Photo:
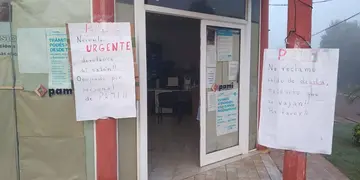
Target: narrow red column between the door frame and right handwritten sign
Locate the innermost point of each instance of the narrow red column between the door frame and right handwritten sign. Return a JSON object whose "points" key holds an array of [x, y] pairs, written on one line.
{"points": [[264, 41]]}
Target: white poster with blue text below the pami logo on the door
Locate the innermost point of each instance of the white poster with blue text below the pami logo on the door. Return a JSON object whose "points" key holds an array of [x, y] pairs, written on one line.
{"points": [[227, 112]]}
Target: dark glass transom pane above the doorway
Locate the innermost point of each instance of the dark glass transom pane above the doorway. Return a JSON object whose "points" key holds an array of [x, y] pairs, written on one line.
{"points": [[229, 8]]}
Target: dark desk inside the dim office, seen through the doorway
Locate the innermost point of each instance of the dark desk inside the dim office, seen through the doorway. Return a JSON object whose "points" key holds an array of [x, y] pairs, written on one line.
{"points": [[154, 100]]}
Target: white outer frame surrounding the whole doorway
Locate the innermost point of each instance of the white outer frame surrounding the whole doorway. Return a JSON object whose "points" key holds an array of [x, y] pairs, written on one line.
{"points": [[140, 9]]}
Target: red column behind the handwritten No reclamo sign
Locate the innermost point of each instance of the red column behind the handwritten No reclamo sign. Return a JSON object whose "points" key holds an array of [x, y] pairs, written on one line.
{"points": [[299, 31]]}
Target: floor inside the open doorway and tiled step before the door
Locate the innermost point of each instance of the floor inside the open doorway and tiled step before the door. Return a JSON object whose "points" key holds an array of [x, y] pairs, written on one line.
{"points": [[174, 155]]}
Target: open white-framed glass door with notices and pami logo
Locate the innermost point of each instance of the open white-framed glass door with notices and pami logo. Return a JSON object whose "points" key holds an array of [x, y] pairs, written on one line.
{"points": [[223, 121]]}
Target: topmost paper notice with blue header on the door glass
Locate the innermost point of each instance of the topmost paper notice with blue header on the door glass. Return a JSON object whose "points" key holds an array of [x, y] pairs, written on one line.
{"points": [[224, 45]]}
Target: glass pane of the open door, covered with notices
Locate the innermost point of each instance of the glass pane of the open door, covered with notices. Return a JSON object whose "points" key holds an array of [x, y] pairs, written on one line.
{"points": [[223, 60]]}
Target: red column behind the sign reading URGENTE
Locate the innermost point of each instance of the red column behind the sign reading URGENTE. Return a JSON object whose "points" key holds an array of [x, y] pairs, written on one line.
{"points": [[105, 129]]}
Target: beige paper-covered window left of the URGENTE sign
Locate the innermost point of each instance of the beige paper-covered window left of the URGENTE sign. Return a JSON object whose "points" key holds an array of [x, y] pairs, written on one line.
{"points": [[51, 142]]}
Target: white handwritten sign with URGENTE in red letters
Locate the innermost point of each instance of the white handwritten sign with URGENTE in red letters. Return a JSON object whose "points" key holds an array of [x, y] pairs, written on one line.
{"points": [[102, 70]]}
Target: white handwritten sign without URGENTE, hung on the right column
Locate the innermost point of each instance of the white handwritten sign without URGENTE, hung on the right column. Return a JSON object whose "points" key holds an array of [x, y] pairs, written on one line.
{"points": [[298, 99]]}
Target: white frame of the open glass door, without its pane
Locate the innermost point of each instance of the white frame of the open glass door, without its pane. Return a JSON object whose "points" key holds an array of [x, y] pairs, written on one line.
{"points": [[243, 97]]}
